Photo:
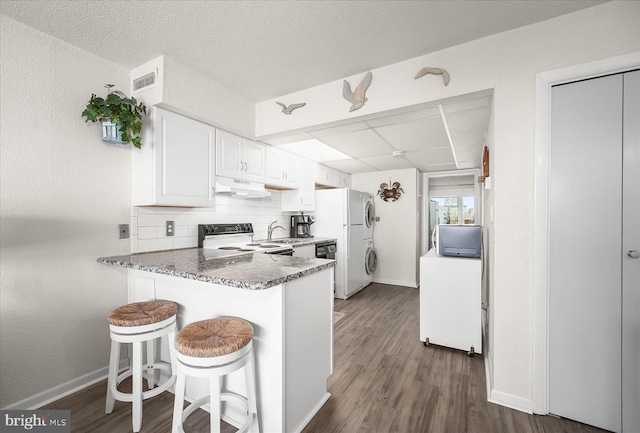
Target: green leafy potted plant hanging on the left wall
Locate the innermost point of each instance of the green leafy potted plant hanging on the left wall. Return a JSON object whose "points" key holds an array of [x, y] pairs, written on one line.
{"points": [[120, 116]]}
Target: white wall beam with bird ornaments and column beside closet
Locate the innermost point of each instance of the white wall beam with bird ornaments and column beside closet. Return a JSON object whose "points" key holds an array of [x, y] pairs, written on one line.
{"points": [[506, 63]]}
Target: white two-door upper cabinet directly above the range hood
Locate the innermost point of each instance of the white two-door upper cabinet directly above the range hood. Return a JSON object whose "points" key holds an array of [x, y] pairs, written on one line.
{"points": [[239, 158]]}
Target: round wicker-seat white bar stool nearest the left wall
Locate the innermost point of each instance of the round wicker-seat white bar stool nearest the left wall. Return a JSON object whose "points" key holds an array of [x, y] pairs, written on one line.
{"points": [[138, 323]]}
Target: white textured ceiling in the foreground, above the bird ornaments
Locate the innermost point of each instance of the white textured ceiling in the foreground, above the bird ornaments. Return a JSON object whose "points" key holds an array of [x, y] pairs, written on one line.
{"points": [[265, 49]]}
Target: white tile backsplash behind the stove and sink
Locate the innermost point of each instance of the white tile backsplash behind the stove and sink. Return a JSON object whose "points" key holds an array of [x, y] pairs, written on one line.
{"points": [[148, 224]]}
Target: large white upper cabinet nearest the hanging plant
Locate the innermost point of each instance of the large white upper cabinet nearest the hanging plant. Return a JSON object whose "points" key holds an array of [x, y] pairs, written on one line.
{"points": [[176, 164]]}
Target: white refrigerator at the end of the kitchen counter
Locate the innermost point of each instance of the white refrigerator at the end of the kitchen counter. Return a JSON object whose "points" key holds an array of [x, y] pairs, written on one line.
{"points": [[340, 215]]}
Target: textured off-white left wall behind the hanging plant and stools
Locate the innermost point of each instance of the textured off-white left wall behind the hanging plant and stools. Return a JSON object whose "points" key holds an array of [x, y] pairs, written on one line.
{"points": [[63, 193]]}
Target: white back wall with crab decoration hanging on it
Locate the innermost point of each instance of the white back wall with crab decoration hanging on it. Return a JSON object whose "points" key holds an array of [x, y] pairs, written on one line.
{"points": [[396, 234]]}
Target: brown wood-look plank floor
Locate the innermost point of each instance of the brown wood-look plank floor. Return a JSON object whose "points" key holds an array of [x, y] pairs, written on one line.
{"points": [[385, 380]]}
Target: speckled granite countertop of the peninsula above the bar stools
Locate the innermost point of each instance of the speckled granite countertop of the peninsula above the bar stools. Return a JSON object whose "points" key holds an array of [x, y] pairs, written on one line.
{"points": [[242, 270]]}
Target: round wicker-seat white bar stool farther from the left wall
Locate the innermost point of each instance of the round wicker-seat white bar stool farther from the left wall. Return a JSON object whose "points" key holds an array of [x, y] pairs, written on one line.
{"points": [[214, 348]]}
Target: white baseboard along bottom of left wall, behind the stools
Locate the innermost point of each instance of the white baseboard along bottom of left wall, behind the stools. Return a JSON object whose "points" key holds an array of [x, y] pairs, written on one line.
{"points": [[64, 389]]}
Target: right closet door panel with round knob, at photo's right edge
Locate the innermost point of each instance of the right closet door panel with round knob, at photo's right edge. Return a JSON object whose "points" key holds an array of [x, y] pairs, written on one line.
{"points": [[631, 266]]}
